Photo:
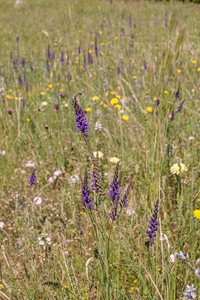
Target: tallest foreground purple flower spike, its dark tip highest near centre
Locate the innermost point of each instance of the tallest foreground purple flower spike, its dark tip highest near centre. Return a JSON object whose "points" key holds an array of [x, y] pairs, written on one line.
{"points": [[81, 123]]}
